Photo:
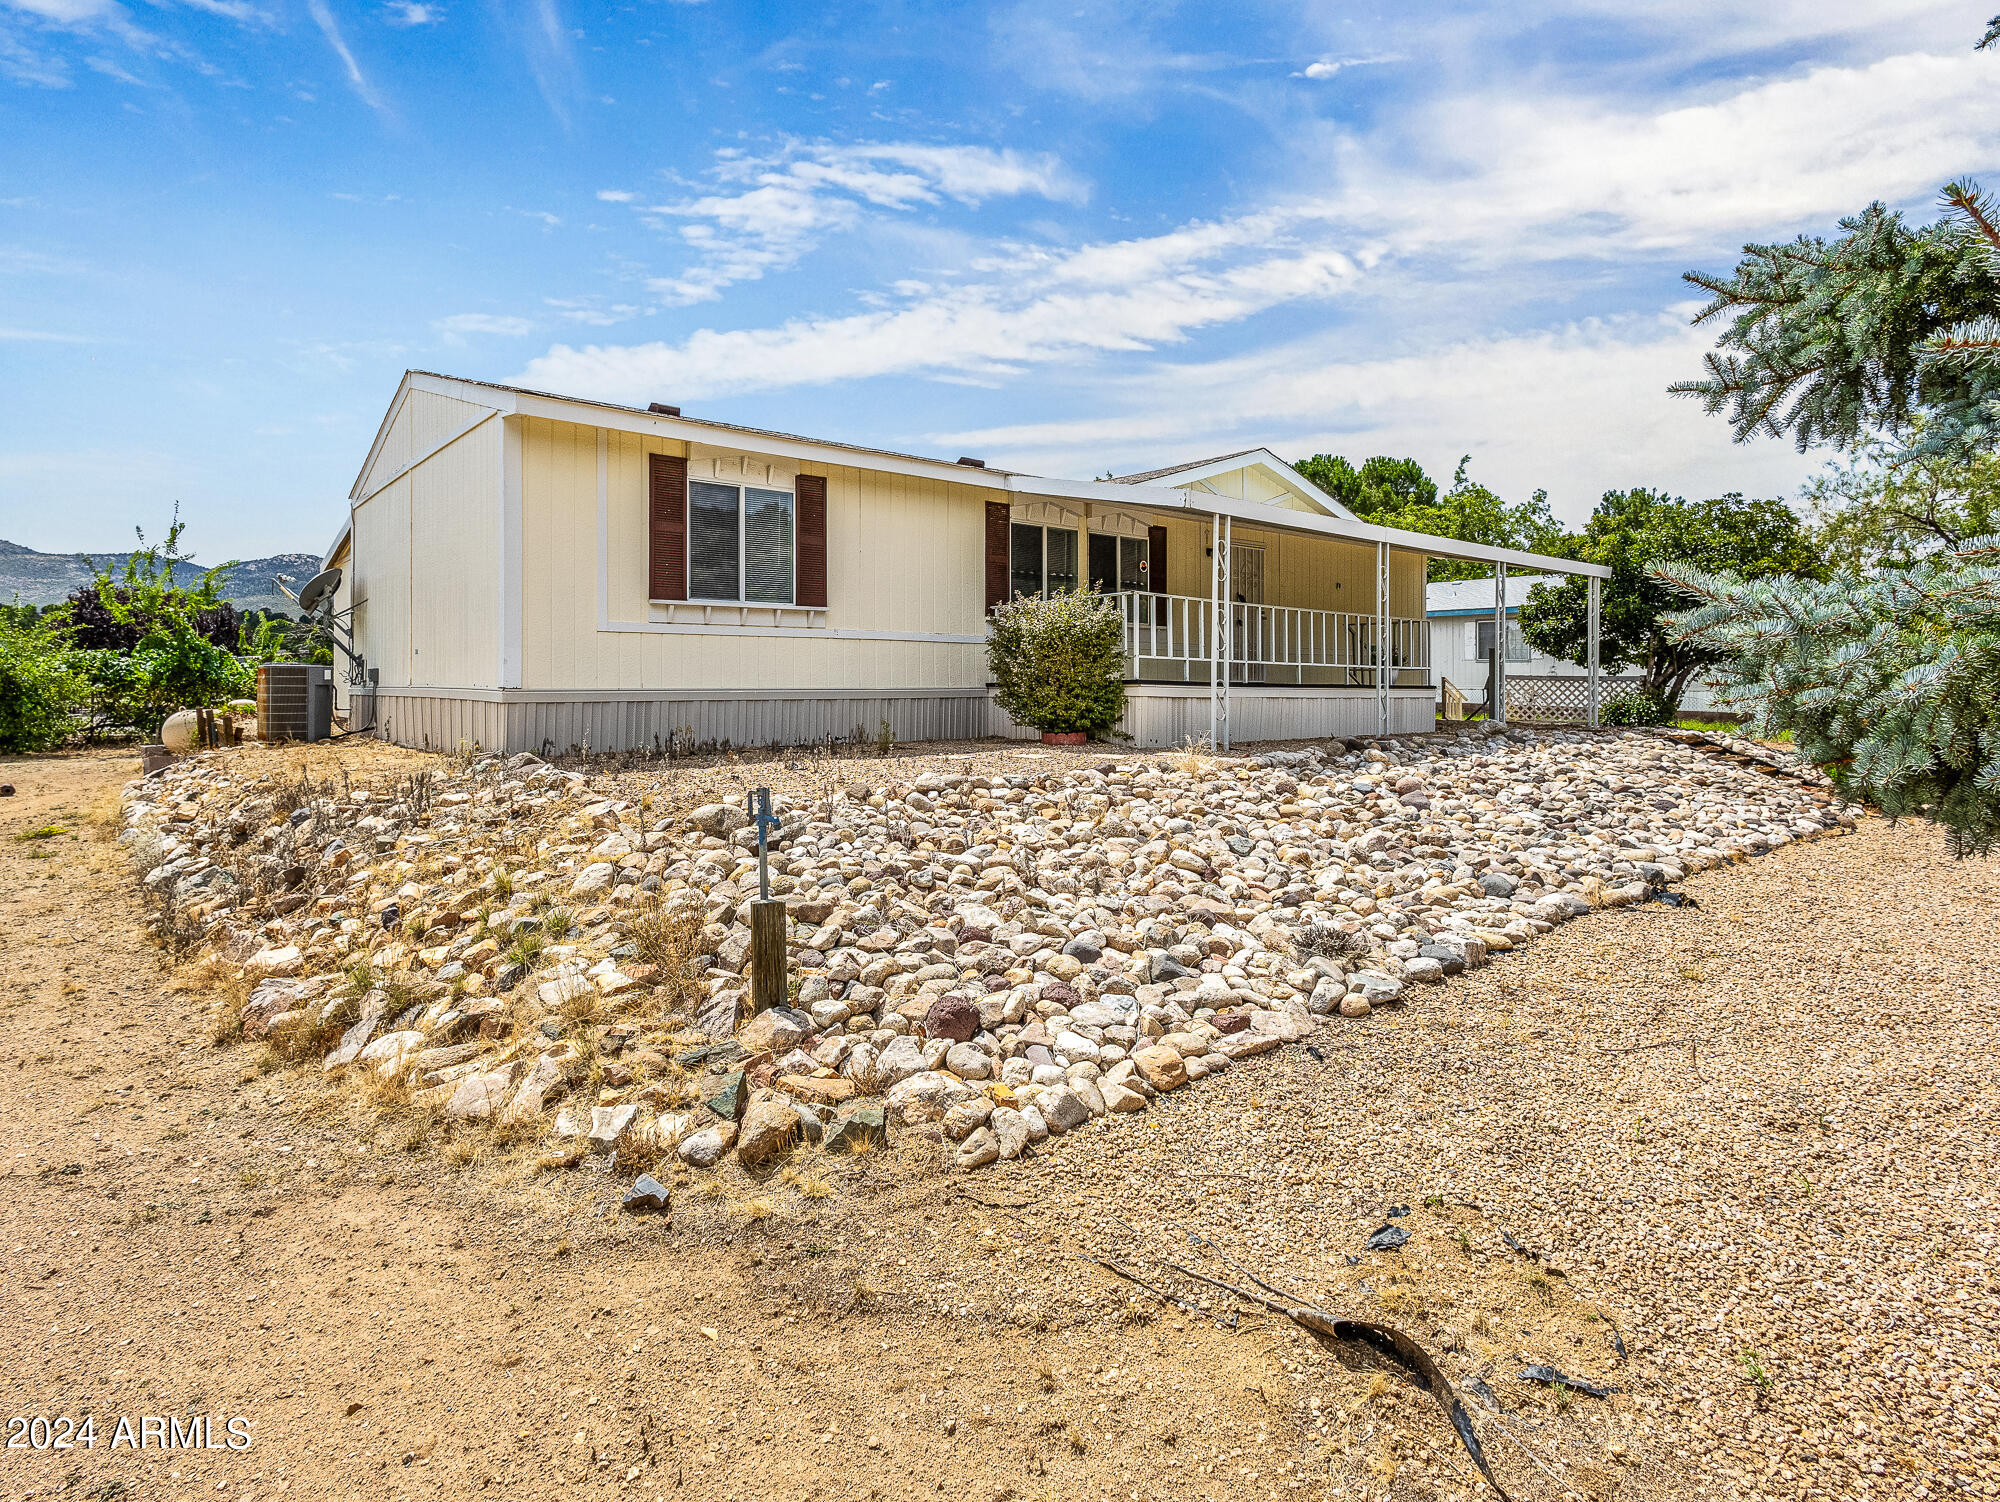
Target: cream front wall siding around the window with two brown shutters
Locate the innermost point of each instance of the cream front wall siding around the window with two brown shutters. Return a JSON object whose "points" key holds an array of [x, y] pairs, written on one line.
{"points": [[905, 555]]}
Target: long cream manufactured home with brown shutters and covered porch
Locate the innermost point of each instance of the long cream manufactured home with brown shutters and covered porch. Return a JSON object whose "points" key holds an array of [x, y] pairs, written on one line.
{"points": [[539, 573]]}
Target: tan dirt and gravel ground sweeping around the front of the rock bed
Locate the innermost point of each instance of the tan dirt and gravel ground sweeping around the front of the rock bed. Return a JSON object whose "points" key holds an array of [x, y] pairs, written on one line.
{"points": [[1749, 1143]]}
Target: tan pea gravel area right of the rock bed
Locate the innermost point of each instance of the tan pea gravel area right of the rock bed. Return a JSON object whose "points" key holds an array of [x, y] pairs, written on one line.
{"points": [[1755, 1139]]}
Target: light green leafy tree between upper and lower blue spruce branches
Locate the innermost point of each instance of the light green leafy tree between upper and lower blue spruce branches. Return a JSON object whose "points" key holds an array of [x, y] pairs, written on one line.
{"points": [[1887, 509]]}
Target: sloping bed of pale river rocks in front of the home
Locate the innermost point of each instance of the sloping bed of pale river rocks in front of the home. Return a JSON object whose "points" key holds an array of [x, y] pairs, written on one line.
{"points": [[995, 957]]}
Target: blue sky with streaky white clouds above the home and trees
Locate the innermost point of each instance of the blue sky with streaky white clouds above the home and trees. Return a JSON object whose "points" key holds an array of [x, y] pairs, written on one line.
{"points": [[1063, 237]]}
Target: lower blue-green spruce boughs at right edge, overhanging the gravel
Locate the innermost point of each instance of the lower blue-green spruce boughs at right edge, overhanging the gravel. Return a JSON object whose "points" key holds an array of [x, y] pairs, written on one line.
{"points": [[1889, 683]]}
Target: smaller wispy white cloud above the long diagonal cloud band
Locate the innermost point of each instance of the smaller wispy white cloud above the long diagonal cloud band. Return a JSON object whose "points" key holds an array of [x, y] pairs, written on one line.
{"points": [[771, 211]]}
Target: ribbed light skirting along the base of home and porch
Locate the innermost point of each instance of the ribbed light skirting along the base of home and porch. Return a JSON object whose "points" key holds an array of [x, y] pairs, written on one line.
{"points": [[555, 721]]}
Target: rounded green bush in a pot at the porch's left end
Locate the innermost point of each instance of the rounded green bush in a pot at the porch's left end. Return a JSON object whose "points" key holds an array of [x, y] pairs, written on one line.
{"points": [[1059, 663]]}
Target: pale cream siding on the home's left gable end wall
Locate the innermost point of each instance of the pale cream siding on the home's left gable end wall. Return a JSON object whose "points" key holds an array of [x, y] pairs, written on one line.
{"points": [[427, 569]]}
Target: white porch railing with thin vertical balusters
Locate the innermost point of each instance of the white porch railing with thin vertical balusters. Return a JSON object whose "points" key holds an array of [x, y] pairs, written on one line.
{"points": [[1173, 635]]}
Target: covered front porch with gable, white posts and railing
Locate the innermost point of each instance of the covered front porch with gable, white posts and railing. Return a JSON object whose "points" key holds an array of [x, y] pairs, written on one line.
{"points": [[1253, 607]]}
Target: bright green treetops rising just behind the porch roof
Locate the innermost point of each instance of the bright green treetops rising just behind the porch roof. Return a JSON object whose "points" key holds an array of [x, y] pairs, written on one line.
{"points": [[1397, 493]]}
